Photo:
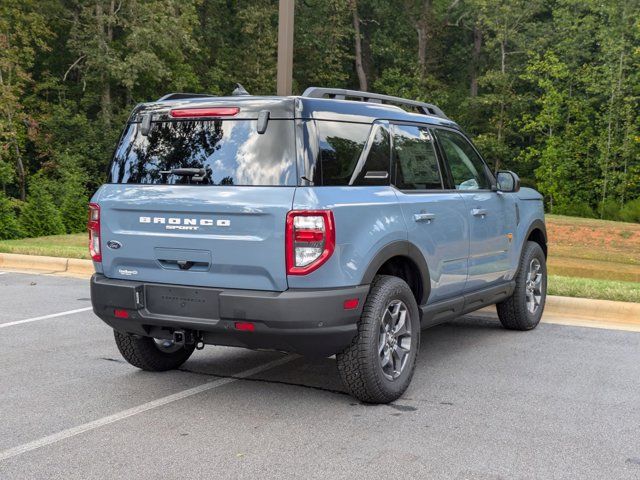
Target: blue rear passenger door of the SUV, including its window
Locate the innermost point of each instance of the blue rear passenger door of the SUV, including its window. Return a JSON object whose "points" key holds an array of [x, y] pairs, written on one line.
{"points": [[436, 219]]}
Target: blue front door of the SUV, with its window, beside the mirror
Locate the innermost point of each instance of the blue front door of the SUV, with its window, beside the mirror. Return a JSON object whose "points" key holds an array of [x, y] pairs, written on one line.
{"points": [[489, 214]]}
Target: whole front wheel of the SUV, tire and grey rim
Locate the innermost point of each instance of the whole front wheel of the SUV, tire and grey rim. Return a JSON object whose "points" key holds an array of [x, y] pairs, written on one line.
{"points": [[523, 310]]}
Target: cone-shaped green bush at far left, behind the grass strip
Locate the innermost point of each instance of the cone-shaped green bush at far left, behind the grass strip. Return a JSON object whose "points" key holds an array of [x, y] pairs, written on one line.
{"points": [[40, 216]]}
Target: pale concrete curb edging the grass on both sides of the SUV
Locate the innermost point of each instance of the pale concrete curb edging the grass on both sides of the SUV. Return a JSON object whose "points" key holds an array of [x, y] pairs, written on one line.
{"points": [[565, 310]]}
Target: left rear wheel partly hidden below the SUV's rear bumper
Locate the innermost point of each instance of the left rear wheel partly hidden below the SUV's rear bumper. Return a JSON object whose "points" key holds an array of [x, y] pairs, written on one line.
{"points": [[152, 354]]}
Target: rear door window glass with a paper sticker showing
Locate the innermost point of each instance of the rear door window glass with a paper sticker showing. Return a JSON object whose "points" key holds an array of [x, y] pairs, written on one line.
{"points": [[416, 163]]}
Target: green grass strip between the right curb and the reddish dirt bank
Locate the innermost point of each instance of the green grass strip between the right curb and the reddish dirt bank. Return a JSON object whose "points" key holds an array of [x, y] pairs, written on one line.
{"points": [[594, 288]]}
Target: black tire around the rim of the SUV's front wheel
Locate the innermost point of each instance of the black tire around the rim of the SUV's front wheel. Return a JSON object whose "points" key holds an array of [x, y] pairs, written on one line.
{"points": [[513, 312]]}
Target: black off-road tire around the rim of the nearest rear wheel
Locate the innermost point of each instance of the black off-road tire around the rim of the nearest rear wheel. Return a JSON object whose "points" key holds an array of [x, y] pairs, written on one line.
{"points": [[359, 364]]}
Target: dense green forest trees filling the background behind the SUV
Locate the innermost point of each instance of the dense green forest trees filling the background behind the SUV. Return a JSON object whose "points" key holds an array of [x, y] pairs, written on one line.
{"points": [[548, 88]]}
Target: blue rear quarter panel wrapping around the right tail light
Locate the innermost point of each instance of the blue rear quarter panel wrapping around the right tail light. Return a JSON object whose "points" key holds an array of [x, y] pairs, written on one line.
{"points": [[366, 219]]}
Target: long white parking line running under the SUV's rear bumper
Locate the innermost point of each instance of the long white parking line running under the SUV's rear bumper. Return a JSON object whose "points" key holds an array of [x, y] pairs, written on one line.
{"points": [[101, 422]]}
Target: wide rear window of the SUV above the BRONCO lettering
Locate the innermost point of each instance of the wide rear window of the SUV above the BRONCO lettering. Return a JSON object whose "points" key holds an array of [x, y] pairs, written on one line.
{"points": [[231, 152]]}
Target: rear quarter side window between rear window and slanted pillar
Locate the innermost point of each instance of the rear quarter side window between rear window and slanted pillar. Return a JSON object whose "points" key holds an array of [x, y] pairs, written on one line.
{"points": [[341, 145]]}
